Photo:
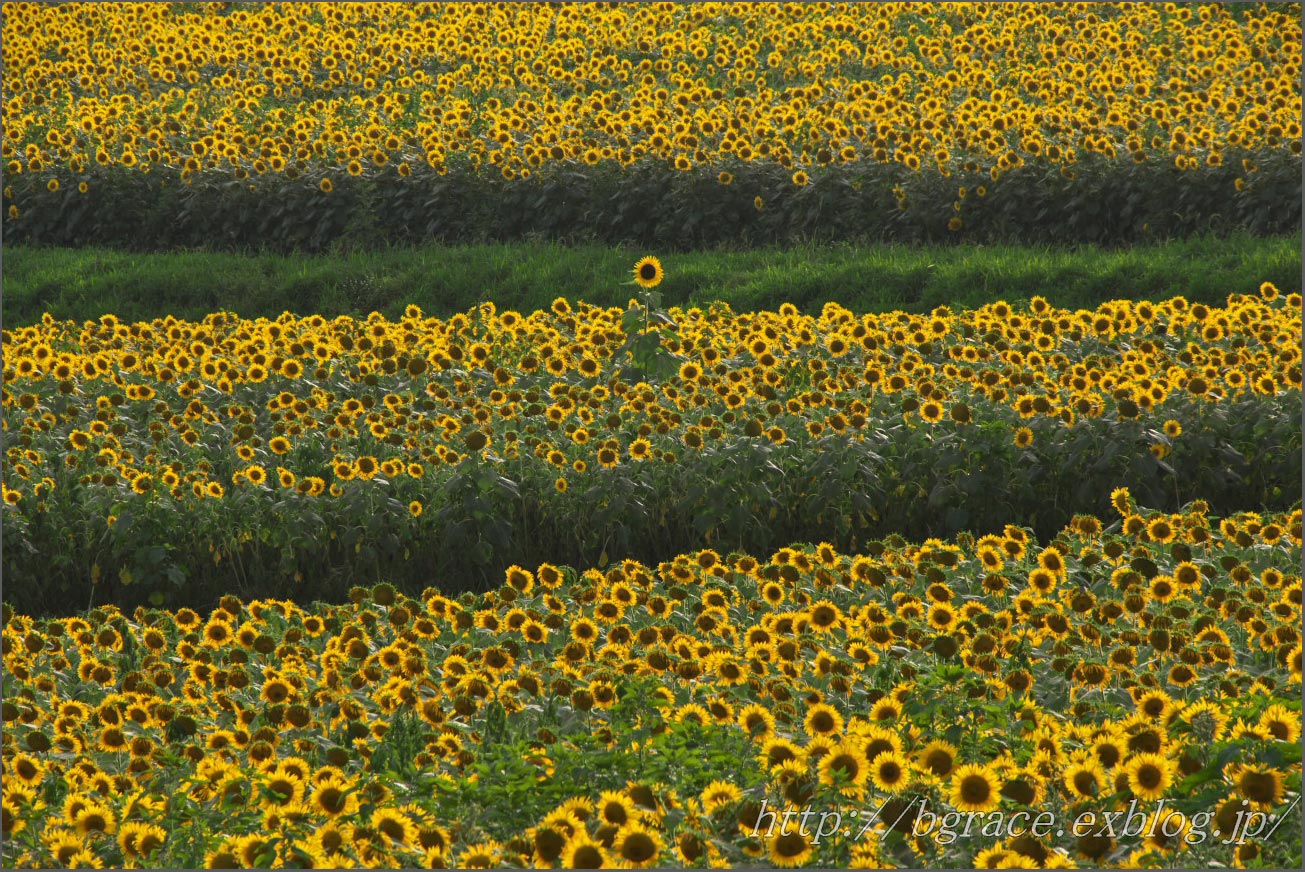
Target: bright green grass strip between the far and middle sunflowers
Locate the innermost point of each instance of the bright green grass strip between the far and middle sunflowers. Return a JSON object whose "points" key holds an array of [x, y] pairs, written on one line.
{"points": [[88, 283]]}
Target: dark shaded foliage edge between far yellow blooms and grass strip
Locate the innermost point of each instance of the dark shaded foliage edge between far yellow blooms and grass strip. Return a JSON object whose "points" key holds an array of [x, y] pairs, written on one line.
{"points": [[1106, 202]]}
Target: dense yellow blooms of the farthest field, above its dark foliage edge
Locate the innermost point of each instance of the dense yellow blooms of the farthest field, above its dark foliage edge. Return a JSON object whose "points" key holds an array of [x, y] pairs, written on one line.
{"points": [[353, 89]]}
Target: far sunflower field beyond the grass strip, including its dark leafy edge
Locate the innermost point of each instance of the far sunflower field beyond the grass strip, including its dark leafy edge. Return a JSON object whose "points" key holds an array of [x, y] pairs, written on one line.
{"points": [[313, 125]]}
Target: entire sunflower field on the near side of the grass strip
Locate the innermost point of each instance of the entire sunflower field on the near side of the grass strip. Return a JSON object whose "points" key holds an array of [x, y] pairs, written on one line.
{"points": [[1154, 657]]}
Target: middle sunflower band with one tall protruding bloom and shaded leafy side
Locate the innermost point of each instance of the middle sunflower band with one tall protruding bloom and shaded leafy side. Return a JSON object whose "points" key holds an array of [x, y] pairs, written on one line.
{"points": [[170, 459]]}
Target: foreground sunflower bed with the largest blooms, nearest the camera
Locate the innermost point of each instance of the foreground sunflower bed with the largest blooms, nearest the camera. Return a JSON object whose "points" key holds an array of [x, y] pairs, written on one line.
{"points": [[652, 716]]}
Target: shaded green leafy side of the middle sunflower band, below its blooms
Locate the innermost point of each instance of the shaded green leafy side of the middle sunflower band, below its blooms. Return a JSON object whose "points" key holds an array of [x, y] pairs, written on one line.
{"points": [[737, 494]]}
